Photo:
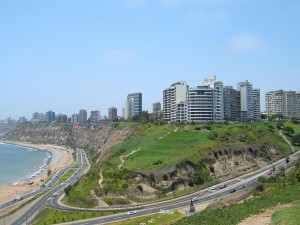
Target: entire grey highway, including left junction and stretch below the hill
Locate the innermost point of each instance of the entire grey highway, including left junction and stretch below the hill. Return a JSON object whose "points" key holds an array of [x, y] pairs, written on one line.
{"points": [[52, 198]]}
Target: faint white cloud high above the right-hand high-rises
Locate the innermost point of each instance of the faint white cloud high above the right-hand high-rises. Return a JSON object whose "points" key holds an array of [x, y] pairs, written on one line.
{"points": [[246, 43]]}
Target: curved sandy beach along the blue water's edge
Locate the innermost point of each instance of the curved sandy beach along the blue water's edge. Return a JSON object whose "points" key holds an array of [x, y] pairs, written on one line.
{"points": [[61, 157]]}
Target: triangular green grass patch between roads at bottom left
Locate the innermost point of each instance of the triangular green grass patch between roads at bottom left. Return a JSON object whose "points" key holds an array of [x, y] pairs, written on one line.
{"points": [[51, 216]]}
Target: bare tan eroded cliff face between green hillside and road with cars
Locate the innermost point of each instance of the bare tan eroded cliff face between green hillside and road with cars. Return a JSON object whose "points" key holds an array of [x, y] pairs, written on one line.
{"points": [[222, 163]]}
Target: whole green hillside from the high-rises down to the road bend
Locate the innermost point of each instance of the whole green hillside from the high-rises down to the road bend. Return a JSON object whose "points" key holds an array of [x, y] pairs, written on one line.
{"points": [[158, 147]]}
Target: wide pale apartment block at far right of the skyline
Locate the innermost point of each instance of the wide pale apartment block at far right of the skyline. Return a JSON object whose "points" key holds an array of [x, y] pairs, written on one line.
{"points": [[282, 102]]}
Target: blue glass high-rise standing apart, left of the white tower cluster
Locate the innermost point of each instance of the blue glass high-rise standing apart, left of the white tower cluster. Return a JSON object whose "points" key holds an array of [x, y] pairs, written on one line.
{"points": [[133, 105]]}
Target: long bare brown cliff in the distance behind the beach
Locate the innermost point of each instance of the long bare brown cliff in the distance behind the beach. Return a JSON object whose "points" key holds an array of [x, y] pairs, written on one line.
{"points": [[99, 141]]}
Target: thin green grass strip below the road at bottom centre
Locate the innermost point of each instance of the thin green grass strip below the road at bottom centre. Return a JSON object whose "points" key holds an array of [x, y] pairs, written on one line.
{"points": [[157, 219]]}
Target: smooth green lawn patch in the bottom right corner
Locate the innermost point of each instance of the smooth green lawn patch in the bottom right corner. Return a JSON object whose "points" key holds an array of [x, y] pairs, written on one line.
{"points": [[287, 216]]}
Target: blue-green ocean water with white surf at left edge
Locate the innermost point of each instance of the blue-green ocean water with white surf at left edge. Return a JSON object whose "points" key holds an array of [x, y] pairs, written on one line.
{"points": [[18, 164]]}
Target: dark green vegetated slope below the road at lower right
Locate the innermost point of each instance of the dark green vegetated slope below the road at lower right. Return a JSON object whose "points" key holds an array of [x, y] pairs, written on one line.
{"points": [[280, 189]]}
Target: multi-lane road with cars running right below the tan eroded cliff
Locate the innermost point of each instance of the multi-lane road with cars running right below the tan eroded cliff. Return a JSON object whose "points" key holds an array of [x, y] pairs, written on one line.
{"points": [[184, 202]]}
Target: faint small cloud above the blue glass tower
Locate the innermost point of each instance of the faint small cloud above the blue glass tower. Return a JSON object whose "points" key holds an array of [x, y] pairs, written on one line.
{"points": [[119, 56]]}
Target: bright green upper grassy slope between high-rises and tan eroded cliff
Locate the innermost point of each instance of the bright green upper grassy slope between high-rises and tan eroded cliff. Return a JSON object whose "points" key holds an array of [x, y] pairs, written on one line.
{"points": [[160, 146]]}
